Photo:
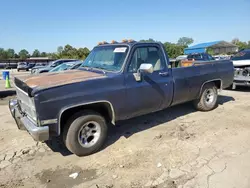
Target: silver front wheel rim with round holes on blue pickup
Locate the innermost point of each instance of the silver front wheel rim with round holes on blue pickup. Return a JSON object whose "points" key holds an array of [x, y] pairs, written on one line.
{"points": [[89, 134]]}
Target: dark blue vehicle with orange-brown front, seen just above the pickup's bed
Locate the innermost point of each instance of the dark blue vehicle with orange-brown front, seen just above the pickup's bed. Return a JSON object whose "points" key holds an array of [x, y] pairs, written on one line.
{"points": [[196, 57]]}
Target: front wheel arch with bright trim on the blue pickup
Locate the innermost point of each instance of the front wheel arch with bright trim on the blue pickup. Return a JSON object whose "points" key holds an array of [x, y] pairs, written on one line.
{"points": [[105, 108]]}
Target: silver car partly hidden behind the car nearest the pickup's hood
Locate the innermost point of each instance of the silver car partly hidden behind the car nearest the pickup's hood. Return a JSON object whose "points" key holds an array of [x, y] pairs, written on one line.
{"points": [[51, 65]]}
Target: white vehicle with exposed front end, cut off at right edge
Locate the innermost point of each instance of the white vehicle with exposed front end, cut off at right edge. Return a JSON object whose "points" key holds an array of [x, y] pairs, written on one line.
{"points": [[241, 62]]}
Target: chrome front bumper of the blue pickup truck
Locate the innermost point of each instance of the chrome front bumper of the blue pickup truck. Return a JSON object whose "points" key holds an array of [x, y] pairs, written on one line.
{"points": [[24, 123]]}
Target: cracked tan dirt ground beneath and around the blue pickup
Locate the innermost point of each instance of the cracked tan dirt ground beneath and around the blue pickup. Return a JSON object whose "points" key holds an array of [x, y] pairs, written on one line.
{"points": [[175, 148]]}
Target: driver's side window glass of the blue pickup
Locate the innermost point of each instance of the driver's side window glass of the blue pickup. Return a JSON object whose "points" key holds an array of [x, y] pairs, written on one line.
{"points": [[149, 55]]}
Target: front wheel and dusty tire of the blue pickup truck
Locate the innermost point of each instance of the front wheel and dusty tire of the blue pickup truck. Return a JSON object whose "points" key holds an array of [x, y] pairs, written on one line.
{"points": [[85, 133]]}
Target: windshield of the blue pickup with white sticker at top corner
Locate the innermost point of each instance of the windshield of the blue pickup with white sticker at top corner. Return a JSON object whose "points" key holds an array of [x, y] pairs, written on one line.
{"points": [[110, 58]]}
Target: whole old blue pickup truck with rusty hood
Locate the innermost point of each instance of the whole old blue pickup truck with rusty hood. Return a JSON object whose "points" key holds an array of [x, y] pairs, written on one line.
{"points": [[117, 81]]}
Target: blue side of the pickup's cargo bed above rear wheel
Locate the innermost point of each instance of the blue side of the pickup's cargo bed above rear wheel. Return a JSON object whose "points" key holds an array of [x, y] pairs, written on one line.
{"points": [[189, 80]]}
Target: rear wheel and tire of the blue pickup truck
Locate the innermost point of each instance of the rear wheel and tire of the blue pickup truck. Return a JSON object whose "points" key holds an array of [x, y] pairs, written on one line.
{"points": [[208, 98]]}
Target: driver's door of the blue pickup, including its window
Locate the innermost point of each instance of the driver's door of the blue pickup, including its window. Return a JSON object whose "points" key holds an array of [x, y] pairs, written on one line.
{"points": [[155, 90]]}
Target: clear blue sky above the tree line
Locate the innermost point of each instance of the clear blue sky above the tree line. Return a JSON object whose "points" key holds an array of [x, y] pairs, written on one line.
{"points": [[47, 24]]}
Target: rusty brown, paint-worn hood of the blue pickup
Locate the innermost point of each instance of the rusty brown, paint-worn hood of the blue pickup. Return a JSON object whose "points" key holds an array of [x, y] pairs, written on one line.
{"points": [[53, 79]]}
